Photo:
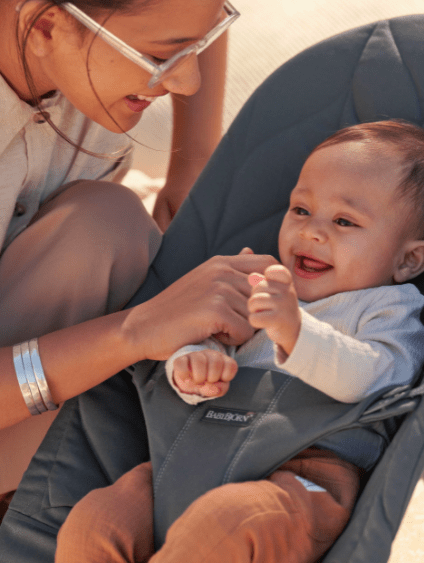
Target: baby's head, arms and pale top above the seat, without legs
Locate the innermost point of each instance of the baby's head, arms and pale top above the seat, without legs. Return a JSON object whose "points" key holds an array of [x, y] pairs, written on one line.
{"points": [[334, 309]]}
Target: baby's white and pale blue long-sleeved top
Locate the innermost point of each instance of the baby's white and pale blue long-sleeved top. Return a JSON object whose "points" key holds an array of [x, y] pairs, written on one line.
{"points": [[350, 344]]}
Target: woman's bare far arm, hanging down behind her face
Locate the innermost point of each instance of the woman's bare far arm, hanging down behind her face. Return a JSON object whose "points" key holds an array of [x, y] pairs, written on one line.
{"points": [[196, 133]]}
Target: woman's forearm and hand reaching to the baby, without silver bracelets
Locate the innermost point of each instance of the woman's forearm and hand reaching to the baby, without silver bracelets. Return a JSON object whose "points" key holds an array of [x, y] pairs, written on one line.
{"points": [[210, 299]]}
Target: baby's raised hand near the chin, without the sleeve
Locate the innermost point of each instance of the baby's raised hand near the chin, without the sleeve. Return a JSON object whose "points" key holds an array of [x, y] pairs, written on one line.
{"points": [[273, 306]]}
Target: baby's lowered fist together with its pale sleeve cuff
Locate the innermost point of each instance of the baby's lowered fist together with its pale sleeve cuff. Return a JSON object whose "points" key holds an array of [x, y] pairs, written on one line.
{"points": [[201, 372]]}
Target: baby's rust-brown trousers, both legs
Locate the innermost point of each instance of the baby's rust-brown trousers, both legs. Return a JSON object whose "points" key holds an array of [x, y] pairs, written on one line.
{"points": [[267, 521]]}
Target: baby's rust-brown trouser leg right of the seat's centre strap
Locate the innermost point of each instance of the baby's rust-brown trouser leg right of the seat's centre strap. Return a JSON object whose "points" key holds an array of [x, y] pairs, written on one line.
{"points": [[268, 521]]}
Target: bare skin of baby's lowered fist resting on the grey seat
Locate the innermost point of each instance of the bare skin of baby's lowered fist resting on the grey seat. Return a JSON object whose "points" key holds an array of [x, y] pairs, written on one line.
{"points": [[206, 373]]}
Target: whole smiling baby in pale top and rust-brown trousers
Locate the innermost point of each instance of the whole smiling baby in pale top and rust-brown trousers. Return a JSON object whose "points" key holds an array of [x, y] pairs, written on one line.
{"points": [[336, 314]]}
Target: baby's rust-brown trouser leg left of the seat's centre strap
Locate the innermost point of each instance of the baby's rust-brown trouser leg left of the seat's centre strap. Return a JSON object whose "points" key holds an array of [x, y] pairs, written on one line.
{"points": [[111, 525]]}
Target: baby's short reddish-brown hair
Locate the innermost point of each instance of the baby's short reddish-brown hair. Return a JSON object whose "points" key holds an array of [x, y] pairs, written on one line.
{"points": [[407, 142]]}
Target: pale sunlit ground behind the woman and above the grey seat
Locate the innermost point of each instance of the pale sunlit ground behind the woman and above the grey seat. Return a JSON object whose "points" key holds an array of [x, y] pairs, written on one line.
{"points": [[268, 33]]}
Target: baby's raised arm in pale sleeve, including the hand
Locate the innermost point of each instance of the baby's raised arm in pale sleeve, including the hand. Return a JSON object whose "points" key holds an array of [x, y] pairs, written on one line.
{"points": [[386, 349]]}
